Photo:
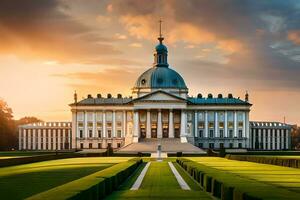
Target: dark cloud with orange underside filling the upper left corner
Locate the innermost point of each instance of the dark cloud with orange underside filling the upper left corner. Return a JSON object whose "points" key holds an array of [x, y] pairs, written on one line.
{"points": [[34, 29]]}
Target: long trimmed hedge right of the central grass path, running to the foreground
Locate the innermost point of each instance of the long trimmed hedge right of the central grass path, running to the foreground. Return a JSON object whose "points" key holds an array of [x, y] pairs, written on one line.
{"points": [[228, 186]]}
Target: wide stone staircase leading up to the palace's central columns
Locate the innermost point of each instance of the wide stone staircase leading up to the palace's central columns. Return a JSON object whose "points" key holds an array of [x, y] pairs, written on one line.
{"points": [[168, 145]]}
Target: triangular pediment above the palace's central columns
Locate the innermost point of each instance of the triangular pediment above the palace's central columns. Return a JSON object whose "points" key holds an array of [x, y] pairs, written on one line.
{"points": [[160, 96]]}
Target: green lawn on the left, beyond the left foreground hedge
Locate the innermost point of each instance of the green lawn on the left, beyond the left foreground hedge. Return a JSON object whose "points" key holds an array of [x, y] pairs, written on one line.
{"points": [[19, 182]]}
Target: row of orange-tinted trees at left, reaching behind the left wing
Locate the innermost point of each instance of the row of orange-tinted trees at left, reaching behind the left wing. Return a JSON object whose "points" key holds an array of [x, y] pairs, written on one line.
{"points": [[9, 127]]}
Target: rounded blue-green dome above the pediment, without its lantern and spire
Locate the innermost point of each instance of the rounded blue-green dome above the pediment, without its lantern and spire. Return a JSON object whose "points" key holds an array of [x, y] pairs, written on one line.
{"points": [[160, 77]]}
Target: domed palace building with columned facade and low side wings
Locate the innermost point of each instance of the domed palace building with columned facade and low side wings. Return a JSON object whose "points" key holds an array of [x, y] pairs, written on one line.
{"points": [[160, 108]]}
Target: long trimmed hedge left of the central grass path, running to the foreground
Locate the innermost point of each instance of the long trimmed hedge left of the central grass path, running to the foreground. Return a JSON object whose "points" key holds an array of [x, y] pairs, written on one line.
{"points": [[92, 187]]}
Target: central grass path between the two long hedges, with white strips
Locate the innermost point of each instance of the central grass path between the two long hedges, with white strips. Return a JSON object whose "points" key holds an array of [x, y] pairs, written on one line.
{"points": [[159, 183]]}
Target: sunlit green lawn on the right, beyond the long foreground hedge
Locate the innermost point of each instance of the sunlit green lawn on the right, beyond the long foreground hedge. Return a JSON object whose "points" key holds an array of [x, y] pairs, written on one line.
{"points": [[281, 177]]}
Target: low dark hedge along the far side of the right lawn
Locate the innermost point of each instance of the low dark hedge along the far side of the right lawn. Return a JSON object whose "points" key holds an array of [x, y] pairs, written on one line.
{"points": [[272, 160]]}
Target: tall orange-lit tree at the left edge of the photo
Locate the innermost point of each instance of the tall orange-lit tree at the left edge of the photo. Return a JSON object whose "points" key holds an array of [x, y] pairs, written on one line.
{"points": [[8, 137]]}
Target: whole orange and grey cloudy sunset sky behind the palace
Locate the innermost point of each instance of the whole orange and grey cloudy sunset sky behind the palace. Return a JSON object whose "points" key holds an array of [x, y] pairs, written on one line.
{"points": [[50, 48]]}
